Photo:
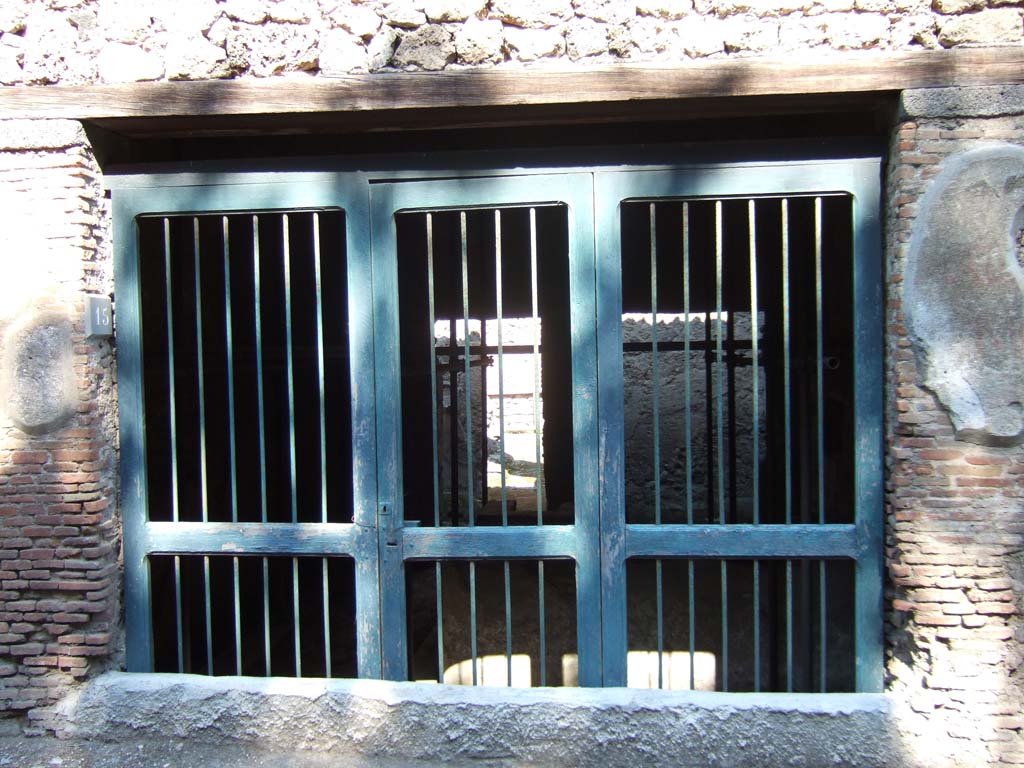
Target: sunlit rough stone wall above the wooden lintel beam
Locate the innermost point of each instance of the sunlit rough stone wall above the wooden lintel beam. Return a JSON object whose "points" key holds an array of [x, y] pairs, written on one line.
{"points": [[84, 41]]}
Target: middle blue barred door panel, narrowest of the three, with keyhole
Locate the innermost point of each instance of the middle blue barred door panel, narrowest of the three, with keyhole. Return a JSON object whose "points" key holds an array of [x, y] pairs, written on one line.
{"points": [[487, 430]]}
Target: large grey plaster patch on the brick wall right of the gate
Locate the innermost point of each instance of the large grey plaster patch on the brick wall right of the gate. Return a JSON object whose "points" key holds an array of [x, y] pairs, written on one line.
{"points": [[965, 293]]}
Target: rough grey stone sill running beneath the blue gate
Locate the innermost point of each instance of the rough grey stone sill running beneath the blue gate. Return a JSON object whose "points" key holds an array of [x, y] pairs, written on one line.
{"points": [[416, 722]]}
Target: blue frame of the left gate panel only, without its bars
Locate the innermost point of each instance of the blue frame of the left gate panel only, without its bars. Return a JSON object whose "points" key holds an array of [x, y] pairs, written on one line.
{"points": [[204, 196]]}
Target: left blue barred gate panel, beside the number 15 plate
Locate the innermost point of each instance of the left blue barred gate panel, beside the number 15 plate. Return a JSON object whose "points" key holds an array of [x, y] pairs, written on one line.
{"points": [[246, 438]]}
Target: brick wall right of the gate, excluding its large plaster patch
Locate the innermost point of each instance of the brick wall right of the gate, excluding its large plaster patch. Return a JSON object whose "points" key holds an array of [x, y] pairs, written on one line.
{"points": [[955, 518]]}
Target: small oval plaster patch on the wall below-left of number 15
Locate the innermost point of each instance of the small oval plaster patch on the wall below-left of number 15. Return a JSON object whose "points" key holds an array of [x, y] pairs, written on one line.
{"points": [[37, 376]]}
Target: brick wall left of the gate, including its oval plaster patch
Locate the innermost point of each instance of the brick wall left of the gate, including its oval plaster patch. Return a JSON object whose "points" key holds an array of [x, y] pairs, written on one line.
{"points": [[59, 532]]}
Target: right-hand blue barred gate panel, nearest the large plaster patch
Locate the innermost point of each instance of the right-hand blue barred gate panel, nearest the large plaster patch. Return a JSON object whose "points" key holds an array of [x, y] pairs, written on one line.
{"points": [[741, 368]]}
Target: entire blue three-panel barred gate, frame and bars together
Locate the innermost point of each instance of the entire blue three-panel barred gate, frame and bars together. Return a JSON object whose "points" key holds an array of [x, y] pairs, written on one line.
{"points": [[594, 426]]}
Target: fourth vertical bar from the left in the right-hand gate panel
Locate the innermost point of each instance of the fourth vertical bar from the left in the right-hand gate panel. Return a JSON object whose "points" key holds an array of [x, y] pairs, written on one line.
{"points": [[755, 429]]}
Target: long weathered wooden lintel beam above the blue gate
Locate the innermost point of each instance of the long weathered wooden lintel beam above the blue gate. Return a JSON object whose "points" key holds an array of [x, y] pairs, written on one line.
{"points": [[409, 93]]}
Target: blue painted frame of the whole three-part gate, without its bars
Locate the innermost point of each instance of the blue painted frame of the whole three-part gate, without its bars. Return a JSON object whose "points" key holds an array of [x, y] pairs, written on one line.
{"points": [[601, 541]]}
